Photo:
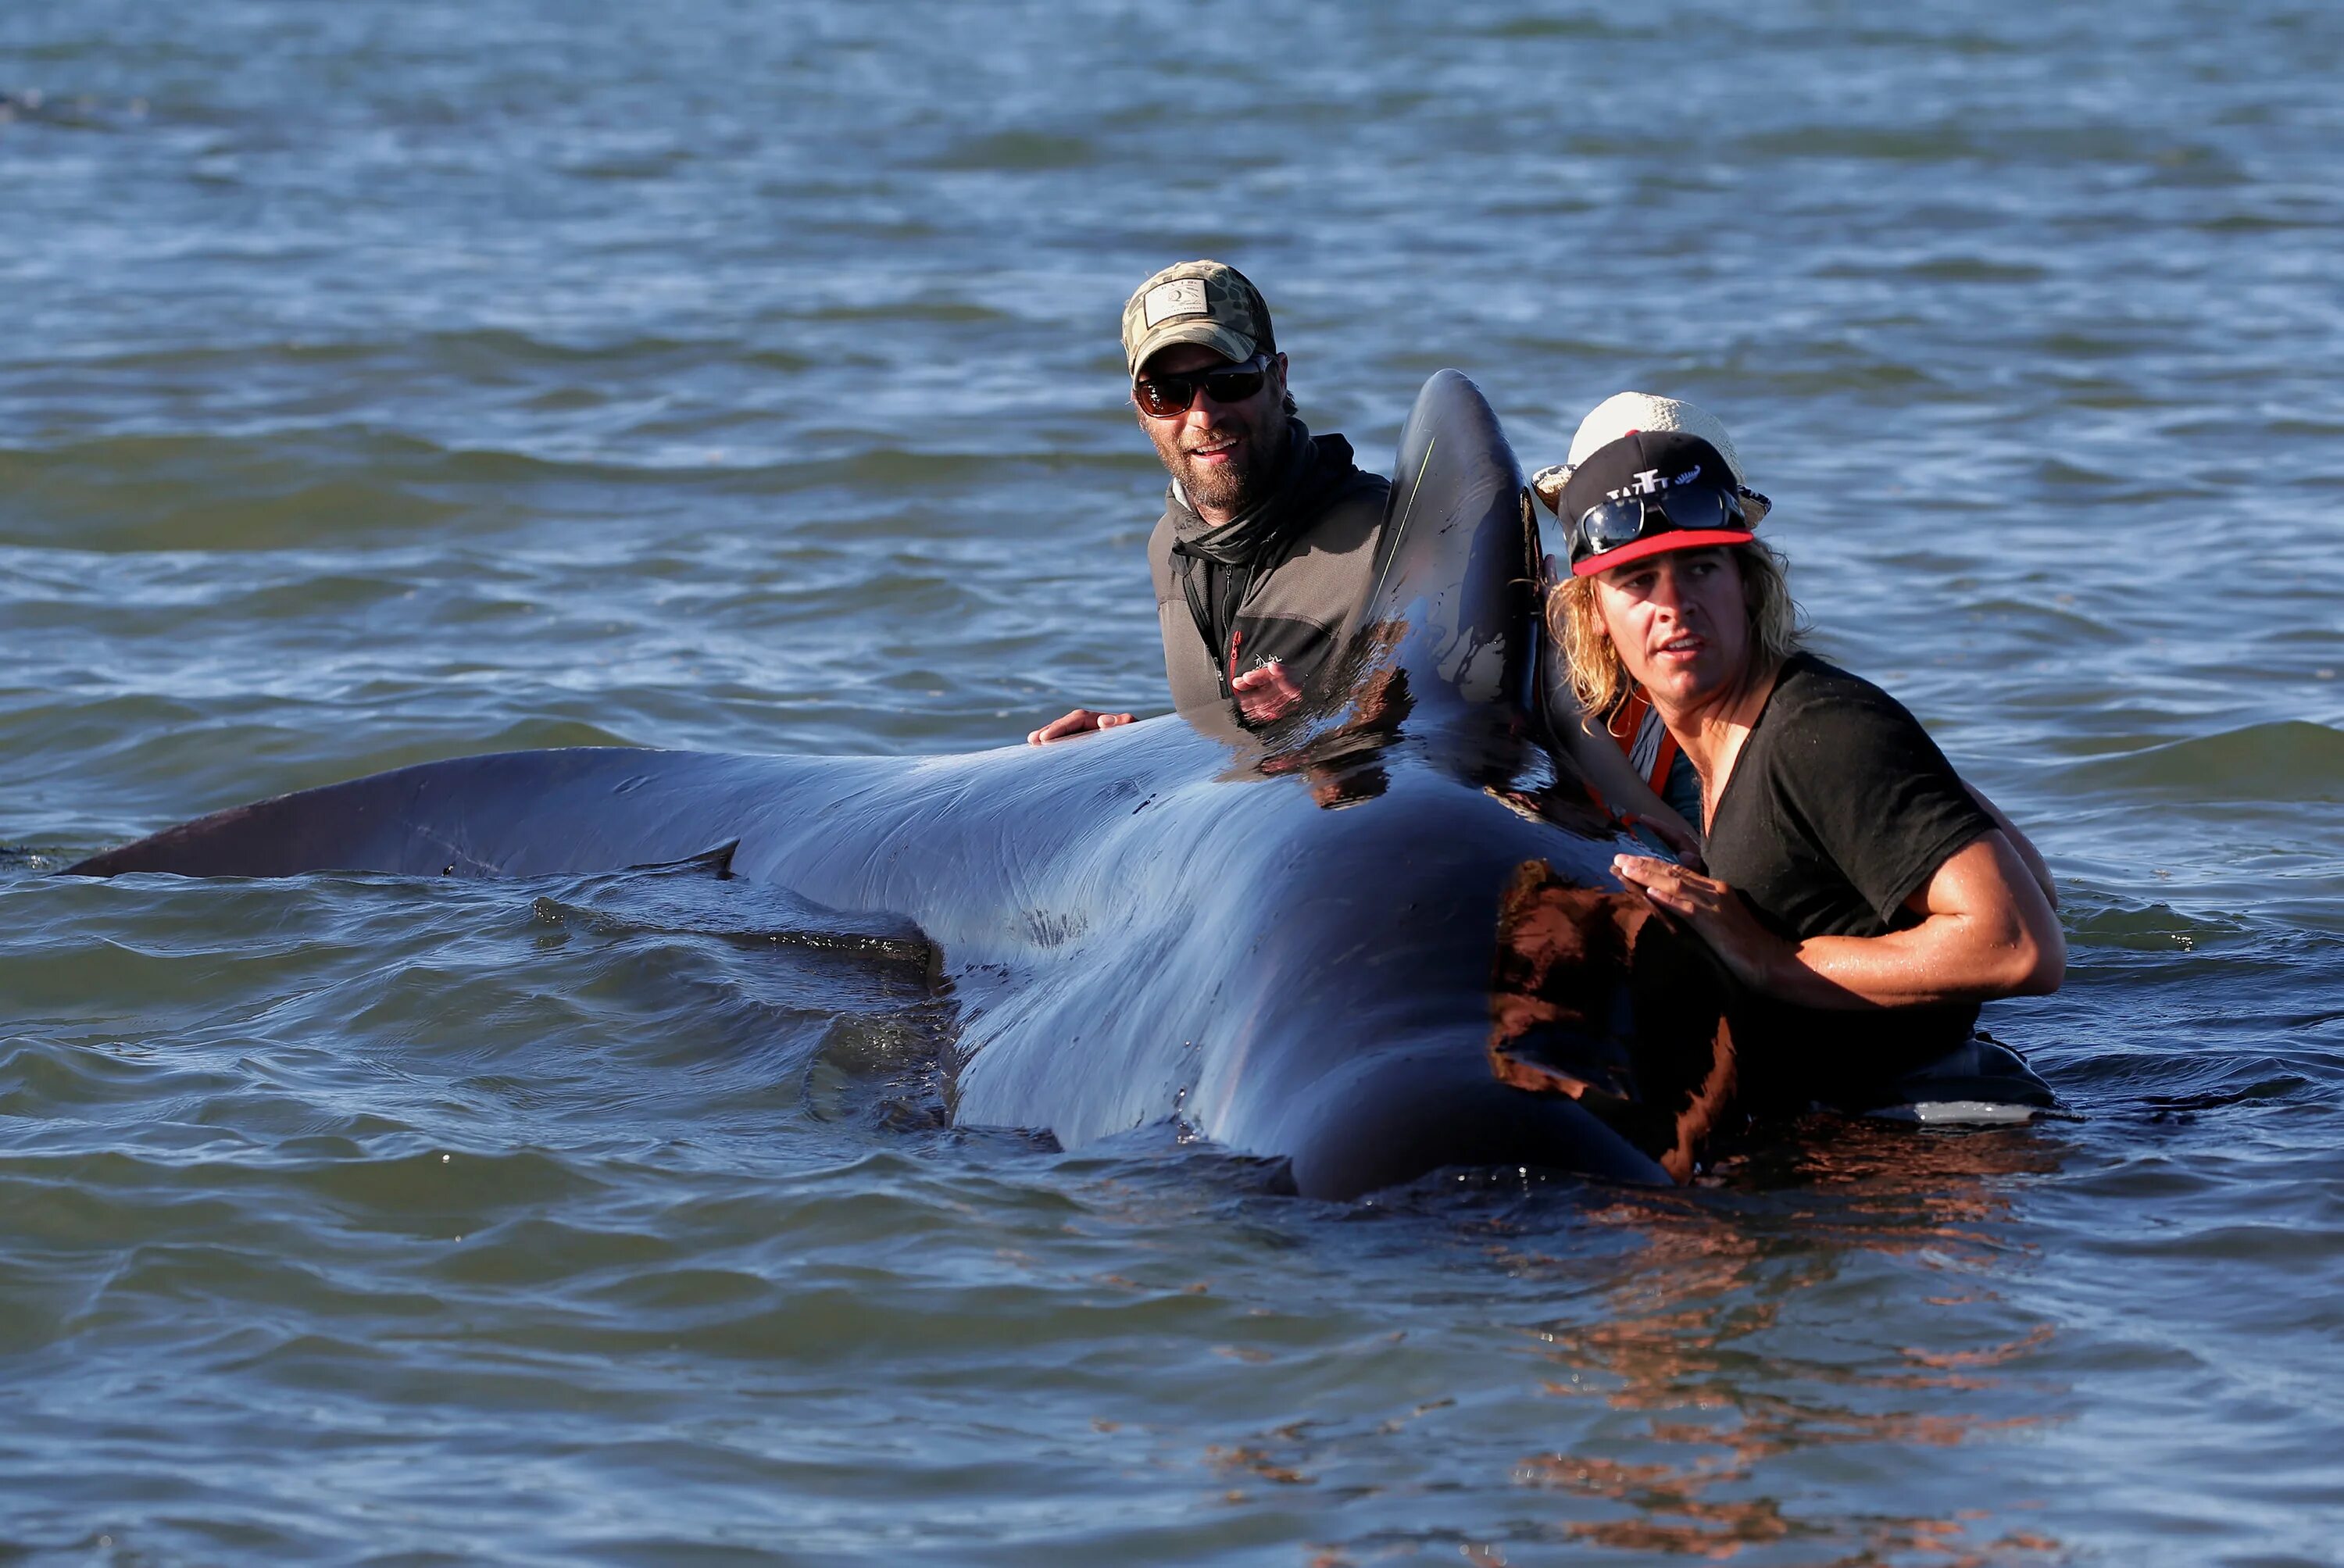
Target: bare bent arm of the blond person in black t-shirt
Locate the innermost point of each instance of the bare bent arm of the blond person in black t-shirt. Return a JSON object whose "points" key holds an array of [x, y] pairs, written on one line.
{"points": [[1987, 932]]}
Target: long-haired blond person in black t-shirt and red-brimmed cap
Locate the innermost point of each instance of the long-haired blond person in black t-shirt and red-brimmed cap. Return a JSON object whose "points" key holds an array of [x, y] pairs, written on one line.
{"points": [[1853, 880]]}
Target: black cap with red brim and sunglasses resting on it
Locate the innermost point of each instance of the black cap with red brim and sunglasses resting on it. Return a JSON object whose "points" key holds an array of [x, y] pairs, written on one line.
{"points": [[1651, 493]]}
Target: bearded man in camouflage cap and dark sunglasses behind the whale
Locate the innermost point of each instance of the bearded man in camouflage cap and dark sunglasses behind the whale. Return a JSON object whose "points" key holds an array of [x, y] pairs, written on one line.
{"points": [[1265, 557]]}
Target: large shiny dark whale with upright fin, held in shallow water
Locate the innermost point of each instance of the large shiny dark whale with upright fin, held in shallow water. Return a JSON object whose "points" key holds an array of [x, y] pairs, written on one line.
{"points": [[1372, 941]]}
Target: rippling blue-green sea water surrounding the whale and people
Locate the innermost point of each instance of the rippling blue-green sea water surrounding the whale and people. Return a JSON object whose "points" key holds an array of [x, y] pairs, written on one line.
{"points": [[404, 381]]}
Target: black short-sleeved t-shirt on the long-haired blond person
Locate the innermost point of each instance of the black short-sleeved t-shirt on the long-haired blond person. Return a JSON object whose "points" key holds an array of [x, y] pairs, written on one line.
{"points": [[1837, 812]]}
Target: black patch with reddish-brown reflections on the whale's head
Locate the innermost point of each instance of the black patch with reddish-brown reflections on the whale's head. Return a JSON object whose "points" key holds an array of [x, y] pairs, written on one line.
{"points": [[1597, 1000]]}
